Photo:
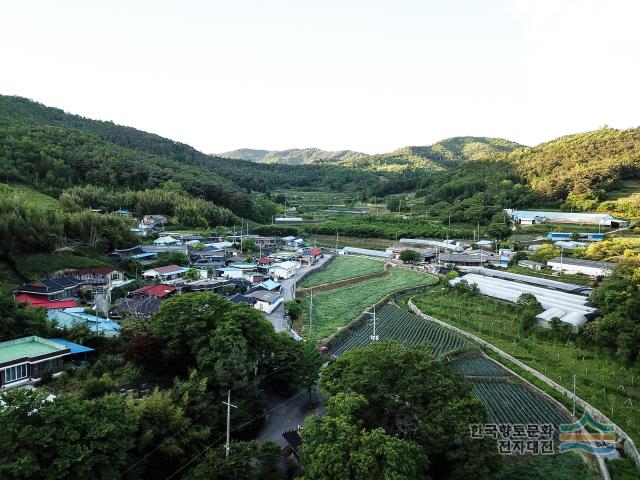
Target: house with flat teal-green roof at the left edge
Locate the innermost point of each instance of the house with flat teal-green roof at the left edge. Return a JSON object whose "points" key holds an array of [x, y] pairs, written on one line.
{"points": [[24, 359]]}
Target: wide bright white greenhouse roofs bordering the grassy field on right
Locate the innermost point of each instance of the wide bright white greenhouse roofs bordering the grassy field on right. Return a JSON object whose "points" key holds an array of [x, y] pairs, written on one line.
{"points": [[568, 307]]}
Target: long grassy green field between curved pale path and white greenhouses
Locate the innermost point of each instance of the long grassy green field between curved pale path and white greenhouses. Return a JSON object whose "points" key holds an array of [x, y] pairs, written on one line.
{"points": [[608, 385]]}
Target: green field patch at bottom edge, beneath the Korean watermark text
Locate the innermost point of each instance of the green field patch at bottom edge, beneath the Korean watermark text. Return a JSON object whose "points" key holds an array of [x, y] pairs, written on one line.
{"points": [[565, 466]]}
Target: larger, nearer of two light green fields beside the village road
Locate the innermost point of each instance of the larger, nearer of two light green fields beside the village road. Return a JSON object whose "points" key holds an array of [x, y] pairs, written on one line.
{"points": [[336, 308]]}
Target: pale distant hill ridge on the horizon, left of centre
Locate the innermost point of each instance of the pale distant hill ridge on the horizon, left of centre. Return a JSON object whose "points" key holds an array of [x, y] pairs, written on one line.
{"points": [[294, 156]]}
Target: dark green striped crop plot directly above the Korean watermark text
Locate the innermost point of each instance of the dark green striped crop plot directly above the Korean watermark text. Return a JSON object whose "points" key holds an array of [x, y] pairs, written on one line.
{"points": [[512, 402]]}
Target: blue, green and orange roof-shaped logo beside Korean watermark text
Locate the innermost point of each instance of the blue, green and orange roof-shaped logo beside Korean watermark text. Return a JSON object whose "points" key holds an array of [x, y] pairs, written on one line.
{"points": [[600, 439]]}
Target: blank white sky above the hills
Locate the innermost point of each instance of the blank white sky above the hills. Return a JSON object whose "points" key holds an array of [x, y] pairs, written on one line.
{"points": [[335, 74]]}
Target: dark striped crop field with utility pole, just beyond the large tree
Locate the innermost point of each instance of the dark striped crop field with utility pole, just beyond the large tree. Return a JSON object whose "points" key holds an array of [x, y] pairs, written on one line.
{"points": [[393, 323]]}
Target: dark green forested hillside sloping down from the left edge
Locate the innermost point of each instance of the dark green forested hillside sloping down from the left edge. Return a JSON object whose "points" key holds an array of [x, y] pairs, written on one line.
{"points": [[52, 150]]}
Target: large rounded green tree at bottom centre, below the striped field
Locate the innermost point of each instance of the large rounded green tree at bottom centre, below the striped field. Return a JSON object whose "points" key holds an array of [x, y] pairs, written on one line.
{"points": [[415, 397]]}
